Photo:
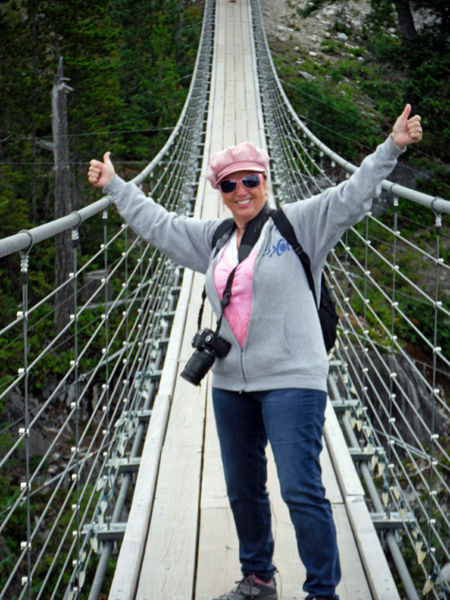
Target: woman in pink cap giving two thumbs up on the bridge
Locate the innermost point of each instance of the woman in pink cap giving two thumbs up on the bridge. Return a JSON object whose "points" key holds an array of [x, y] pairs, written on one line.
{"points": [[272, 384]]}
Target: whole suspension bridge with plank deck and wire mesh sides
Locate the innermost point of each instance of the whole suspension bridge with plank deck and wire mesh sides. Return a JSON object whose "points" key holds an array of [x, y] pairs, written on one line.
{"points": [[139, 508]]}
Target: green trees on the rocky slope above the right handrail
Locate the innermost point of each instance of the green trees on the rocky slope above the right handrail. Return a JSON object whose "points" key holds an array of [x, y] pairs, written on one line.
{"points": [[395, 70]]}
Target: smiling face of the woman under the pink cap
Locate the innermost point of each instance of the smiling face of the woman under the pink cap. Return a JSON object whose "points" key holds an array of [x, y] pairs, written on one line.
{"points": [[245, 204]]}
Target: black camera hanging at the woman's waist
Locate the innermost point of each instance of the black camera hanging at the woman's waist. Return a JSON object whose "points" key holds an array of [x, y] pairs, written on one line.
{"points": [[208, 346]]}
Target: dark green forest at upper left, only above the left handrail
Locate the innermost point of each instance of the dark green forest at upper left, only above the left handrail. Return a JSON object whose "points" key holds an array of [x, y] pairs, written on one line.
{"points": [[128, 65]]}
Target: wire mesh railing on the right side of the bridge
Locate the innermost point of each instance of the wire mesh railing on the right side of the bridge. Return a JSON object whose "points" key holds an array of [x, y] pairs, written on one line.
{"points": [[390, 372]]}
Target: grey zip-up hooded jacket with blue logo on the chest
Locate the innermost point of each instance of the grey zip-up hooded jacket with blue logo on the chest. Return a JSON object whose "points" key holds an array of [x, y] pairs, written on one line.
{"points": [[284, 346]]}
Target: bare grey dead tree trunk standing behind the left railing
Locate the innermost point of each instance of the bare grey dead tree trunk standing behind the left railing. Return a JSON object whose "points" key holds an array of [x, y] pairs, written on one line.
{"points": [[63, 205]]}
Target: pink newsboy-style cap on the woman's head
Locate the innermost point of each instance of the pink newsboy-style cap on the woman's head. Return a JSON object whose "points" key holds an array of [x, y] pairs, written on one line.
{"points": [[245, 157]]}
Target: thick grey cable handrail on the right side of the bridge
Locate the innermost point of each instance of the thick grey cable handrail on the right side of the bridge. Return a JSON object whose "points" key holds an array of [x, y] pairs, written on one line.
{"points": [[436, 203]]}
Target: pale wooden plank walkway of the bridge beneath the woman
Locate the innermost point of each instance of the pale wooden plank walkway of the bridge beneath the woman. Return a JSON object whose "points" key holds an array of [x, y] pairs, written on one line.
{"points": [[188, 549]]}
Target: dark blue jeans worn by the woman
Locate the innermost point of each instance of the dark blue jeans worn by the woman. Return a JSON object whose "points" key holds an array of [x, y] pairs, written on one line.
{"points": [[292, 420]]}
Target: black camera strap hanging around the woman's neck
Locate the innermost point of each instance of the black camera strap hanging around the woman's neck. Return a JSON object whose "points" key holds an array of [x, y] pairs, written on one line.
{"points": [[248, 241]]}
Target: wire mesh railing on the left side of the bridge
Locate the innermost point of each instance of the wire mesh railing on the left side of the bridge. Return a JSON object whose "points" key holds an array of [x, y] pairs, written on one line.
{"points": [[78, 405]]}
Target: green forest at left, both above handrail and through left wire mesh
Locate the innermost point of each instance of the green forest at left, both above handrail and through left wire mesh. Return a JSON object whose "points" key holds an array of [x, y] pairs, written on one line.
{"points": [[129, 67]]}
